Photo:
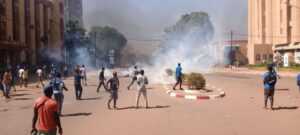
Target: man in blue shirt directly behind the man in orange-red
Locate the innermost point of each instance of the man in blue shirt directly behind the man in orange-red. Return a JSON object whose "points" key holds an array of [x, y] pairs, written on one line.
{"points": [[58, 86]]}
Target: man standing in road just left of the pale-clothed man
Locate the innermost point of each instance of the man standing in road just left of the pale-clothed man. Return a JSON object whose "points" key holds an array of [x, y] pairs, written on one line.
{"points": [[113, 84]]}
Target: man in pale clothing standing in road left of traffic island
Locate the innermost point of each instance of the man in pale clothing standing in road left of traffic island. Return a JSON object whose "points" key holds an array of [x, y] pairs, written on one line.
{"points": [[142, 81]]}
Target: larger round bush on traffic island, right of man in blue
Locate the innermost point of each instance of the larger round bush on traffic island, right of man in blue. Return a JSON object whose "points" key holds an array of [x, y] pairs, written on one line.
{"points": [[195, 81]]}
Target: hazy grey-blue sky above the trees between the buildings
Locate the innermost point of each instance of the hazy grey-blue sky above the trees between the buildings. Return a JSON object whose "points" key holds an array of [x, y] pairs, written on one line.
{"points": [[148, 18]]}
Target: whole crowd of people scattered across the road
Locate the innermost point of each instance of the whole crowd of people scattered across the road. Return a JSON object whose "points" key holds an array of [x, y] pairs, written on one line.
{"points": [[47, 110]]}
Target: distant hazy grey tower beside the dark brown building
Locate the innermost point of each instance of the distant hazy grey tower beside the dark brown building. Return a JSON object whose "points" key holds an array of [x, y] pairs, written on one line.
{"points": [[74, 11]]}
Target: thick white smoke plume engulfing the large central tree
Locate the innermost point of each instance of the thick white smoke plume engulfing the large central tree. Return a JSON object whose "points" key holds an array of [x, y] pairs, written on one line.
{"points": [[189, 42]]}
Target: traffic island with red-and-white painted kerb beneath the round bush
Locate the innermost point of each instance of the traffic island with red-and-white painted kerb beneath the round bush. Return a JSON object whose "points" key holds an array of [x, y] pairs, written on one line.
{"points": [[209, 93]]}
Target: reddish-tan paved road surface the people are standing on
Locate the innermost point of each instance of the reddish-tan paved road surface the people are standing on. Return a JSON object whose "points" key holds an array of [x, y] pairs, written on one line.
{"points": [[239, 113]]}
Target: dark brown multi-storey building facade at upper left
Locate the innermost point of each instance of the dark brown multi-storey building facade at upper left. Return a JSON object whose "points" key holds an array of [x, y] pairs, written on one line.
{"points": [[27, 27]]}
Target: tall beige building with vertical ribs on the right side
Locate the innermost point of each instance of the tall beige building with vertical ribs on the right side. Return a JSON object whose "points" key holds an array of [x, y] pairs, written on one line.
{"points": [[273, 27]]}
